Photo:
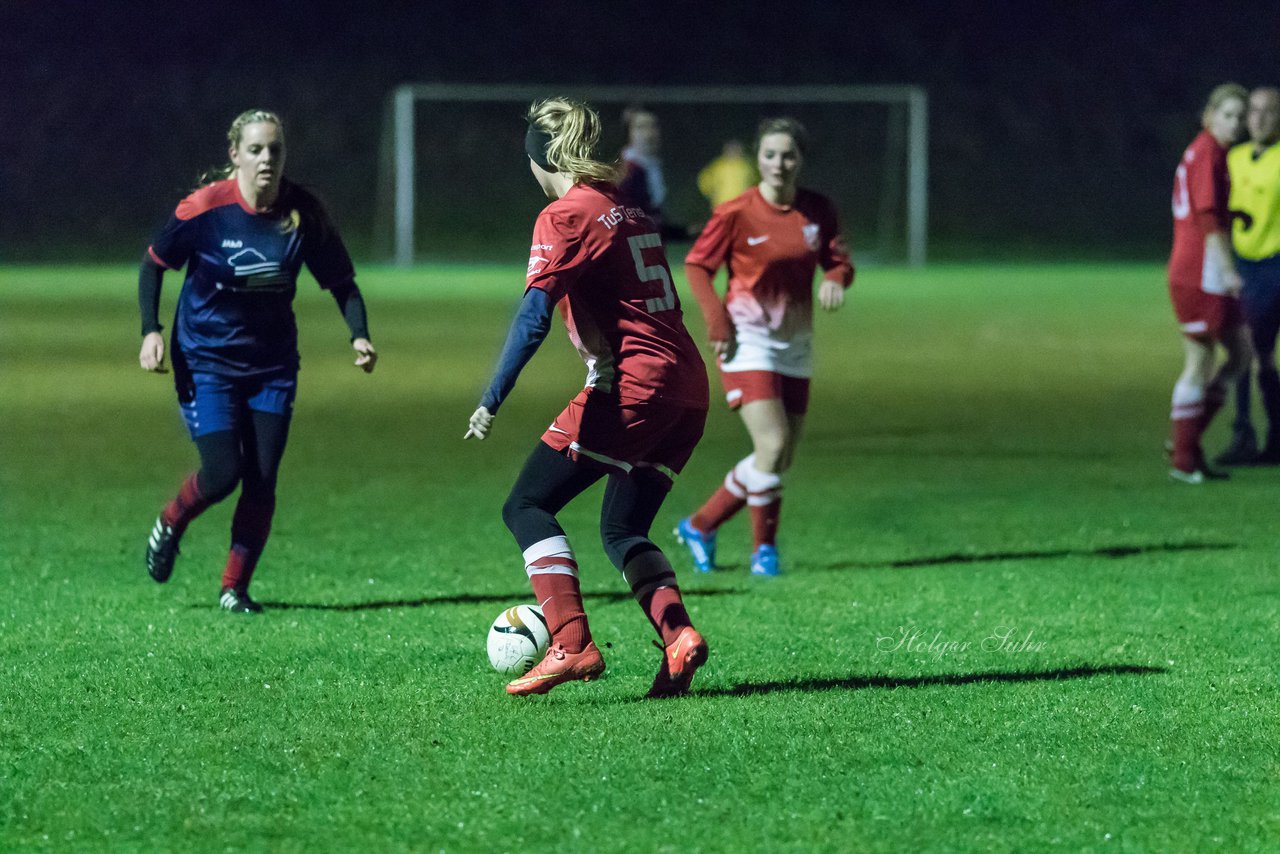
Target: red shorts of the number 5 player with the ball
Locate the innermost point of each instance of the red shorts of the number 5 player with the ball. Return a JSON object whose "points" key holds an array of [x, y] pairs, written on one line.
{"points": [[628, 435]]}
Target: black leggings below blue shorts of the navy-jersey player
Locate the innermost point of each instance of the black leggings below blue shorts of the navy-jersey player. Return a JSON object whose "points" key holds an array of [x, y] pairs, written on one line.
{"points": [[249, 456]]}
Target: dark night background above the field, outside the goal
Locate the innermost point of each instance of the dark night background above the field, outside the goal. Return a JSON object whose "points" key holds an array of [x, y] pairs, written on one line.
{"points": [[1055, 127]]}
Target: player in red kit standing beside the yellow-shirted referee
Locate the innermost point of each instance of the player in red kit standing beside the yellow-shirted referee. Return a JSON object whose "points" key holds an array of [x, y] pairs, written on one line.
{"points": [[1204, 284]]}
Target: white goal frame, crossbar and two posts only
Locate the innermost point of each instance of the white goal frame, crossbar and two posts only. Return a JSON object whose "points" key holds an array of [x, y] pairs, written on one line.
{"points": [[913, 98]]}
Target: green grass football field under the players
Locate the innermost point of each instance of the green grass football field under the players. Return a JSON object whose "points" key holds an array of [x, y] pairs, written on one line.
{"points": [[982, 462]]}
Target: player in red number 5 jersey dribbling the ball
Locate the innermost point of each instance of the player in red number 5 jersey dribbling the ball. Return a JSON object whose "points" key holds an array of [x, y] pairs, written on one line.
{"points": [[638, 421]]}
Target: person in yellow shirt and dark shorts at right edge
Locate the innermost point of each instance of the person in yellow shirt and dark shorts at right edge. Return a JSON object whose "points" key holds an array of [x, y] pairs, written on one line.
{"points": [[1255, 203]]}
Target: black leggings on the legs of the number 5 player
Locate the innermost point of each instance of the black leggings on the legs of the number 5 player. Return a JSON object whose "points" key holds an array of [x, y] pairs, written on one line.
{"points": [[550, 481]]}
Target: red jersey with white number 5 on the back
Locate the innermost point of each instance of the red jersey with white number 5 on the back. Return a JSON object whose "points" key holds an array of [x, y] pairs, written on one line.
{"points": [[604, 263]]}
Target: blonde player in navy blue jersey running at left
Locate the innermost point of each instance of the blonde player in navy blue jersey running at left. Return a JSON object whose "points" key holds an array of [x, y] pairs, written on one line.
{"points": [[244, 238]]}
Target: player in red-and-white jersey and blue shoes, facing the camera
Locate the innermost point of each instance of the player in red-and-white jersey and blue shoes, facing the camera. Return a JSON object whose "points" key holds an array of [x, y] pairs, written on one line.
{"points": [[772, 239]]}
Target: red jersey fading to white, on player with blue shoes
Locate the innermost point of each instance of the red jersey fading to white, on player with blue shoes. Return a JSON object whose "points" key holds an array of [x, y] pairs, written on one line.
{"points": [[772, 254]]}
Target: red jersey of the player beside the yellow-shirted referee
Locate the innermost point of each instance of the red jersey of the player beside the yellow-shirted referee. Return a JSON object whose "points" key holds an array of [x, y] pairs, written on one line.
{"points": [[1201, 190]]}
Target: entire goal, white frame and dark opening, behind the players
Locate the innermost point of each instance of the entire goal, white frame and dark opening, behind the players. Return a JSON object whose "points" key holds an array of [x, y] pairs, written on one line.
{"points": [[454, 179]]}
